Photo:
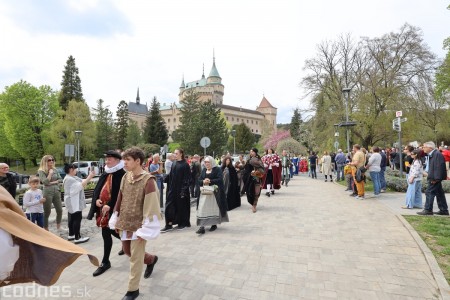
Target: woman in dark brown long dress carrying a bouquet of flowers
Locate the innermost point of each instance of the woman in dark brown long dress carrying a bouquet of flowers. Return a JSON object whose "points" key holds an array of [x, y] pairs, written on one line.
{"points": [[253, 172]]}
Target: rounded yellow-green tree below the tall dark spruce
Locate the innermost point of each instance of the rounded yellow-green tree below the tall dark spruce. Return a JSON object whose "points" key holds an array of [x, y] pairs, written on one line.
{"points": [[76, 117]]}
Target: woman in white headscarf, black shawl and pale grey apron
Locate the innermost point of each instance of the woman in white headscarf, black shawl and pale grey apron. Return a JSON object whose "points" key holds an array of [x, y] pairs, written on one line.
{"points": [[212, 207]]}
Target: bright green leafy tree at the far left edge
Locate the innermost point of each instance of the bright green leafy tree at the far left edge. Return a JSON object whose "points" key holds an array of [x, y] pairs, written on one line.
{"points": [[27, 112]]}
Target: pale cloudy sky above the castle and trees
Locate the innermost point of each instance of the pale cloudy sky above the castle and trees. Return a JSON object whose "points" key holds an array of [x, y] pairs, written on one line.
{"points": [[260, 46]]}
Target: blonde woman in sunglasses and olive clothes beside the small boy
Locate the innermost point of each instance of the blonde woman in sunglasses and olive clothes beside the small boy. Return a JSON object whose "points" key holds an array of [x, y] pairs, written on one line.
{"points": [[50, 178]]}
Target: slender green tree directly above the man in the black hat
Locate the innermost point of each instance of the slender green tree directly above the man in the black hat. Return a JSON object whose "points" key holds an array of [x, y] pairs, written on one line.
{"points": [[104, 124]]}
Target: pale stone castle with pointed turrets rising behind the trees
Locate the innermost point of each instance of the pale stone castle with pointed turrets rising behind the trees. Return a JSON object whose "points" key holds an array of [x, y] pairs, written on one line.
{"points": [[210, 89]]}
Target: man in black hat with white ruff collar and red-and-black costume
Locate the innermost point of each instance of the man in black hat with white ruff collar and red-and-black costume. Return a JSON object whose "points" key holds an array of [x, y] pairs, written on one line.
{"points": [[103, 202]]}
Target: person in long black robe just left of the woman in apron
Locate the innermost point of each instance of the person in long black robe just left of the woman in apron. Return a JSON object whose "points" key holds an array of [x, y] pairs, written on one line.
{"points": [[178, 202]]}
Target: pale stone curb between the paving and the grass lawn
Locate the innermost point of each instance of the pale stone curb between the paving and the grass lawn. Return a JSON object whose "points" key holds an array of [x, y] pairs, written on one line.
{"points": [[443, 286]]}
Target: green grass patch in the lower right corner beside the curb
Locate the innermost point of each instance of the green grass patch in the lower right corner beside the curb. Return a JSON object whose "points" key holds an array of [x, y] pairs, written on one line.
{"points": [[435, 232]]}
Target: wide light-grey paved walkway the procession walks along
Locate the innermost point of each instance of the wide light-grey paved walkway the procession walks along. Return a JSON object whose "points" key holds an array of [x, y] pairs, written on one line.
{"points": [[309, 241]]}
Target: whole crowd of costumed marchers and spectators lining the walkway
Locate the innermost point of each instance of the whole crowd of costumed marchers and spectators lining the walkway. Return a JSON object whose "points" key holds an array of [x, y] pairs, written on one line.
{"points": [[128, 201]]}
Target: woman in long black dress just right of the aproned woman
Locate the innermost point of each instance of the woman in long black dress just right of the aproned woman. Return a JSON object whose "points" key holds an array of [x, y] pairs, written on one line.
{"points": [[231, 185]]}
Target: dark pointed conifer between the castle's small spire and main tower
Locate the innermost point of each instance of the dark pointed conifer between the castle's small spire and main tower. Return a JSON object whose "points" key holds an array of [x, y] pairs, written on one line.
{"points": [[155, 130]]}
